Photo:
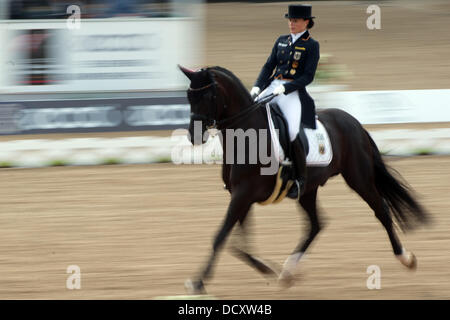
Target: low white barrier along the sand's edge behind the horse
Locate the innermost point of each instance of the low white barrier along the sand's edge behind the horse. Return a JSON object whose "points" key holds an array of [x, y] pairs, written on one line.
{"points": [[177, 149]]}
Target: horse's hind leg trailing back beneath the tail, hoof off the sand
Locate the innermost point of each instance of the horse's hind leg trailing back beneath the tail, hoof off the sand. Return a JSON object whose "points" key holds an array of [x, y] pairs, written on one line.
{"points": [[364, 184]]}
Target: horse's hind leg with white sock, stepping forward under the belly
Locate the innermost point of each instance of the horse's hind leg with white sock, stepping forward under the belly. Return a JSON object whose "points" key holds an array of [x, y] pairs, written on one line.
{"points": [[308, 202]]}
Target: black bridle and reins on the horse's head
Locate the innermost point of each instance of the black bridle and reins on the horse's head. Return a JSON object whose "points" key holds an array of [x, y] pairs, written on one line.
{"points": [[212, 123]]}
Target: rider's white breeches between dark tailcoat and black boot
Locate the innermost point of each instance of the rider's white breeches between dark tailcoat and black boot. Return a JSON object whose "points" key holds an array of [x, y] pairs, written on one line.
{"points": [[290, 106]]}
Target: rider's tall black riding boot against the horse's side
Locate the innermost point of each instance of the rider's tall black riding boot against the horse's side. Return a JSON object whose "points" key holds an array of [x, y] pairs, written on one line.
{"points": [[298, 158]]}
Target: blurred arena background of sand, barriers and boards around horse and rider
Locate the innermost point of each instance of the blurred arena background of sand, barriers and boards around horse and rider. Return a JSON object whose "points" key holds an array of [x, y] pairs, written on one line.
{"points": [[88, 85]]}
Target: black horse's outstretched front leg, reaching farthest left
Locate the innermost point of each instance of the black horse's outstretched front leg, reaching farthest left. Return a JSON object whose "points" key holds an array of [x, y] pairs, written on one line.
{"points": [[239, 207]]}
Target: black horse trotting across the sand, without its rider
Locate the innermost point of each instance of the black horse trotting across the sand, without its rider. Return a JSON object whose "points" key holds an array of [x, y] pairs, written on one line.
{"points": [[220, 100]]}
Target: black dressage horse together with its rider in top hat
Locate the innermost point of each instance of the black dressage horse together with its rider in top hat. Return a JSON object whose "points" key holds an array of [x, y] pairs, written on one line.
{"points": [[219, 100]]}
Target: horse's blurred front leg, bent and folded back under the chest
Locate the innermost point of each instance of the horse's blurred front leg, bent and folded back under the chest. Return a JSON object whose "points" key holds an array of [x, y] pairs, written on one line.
{"points": [[241, 249]]}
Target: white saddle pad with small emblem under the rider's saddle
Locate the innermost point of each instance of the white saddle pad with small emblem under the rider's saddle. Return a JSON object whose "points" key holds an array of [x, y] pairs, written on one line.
{"points": [[320, 152]]}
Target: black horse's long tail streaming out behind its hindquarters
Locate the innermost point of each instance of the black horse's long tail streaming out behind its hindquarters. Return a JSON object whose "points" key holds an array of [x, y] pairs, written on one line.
{"points": [[406, 211]]}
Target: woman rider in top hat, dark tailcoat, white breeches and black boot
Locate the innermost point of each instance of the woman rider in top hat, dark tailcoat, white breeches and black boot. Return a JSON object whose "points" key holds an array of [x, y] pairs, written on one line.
{"points": [[289, 69]]}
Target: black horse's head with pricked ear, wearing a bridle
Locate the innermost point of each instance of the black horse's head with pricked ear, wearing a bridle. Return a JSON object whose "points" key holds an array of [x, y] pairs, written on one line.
{"points": [[205, 103]]}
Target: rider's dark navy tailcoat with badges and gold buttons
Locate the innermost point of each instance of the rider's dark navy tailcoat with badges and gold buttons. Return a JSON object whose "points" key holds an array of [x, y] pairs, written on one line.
{"points": [[297, 62]]}
